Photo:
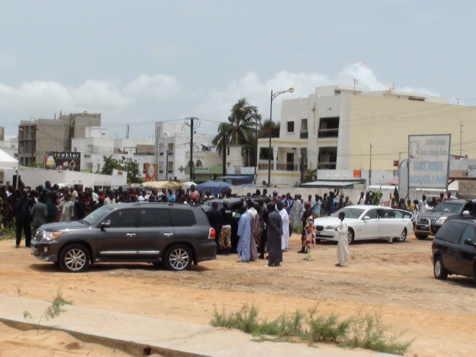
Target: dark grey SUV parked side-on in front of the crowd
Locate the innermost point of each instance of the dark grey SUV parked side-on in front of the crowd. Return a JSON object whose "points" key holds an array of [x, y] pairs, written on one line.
{"points": [[170, 233]]}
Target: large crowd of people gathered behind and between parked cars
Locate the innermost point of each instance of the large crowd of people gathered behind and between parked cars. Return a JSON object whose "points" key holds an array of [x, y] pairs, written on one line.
{"points": [[262, 226]]}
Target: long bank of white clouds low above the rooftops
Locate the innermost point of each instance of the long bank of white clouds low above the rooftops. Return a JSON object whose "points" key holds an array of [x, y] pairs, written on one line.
{"points": [[149, 98]]}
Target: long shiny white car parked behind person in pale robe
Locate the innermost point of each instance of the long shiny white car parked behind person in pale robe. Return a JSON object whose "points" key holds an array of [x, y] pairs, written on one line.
{"points": [[367, 222]]}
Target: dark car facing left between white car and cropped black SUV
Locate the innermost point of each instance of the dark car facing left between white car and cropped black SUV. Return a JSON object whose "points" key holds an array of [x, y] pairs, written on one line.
{"points": [[429, 223]]}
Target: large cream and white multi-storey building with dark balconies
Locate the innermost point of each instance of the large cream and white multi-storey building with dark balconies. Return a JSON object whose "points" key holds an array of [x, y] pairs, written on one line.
{"points": [[341, 128]]}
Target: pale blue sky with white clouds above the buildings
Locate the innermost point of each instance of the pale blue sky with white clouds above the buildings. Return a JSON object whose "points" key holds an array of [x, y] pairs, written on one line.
{"points": [[144, 61]]}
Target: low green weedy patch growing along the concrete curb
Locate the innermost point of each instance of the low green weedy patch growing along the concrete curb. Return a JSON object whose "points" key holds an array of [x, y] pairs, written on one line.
{"points": [[362, 330]]}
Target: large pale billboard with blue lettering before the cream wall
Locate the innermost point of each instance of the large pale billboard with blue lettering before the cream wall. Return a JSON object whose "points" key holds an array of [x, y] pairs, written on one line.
{"points": [[428, 161]]}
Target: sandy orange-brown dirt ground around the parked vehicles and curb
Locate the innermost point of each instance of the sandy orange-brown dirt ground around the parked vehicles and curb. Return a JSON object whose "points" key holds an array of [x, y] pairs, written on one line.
{"points": [[395, 280]]}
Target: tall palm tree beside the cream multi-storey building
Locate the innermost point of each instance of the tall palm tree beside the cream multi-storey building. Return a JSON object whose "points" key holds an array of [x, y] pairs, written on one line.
{"points": [[241, 128]]}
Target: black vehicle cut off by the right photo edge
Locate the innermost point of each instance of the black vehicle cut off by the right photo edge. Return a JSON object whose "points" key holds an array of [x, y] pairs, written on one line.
{"points": [[454, 249]]}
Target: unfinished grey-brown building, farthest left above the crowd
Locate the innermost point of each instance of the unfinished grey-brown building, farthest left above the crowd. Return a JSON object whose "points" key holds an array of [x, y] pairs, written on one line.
{"points": [[36, 137]]}
